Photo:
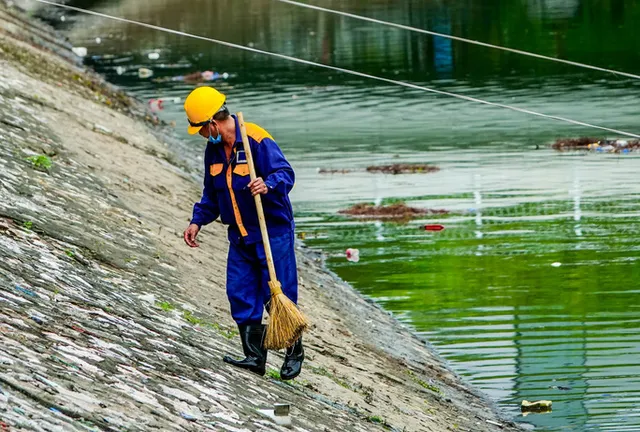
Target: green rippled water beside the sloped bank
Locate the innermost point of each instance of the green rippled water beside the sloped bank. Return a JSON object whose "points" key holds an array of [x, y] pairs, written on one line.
{"points": [[532, 289]]}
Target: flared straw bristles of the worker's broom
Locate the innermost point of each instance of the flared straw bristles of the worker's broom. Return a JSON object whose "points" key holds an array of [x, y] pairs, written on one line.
{"points": [[286, 322]]}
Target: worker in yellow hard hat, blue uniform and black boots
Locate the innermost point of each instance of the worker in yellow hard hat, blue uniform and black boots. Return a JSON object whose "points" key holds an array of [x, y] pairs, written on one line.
{"points": [[229, 193]]}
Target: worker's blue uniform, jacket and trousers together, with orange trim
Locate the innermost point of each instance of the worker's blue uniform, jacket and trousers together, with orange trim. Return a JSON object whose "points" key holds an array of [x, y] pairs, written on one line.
{"points": [[226, 195]]}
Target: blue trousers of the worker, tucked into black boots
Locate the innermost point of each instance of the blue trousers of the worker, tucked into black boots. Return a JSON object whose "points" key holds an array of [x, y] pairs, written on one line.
{"points": [[247, 276]]}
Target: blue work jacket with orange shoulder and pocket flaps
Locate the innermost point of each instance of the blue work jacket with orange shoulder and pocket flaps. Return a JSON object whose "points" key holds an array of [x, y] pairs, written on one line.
{"points": [[226, 195]]}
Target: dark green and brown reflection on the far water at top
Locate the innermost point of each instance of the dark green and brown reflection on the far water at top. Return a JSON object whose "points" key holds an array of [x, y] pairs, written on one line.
{"points": [[584, 31]]}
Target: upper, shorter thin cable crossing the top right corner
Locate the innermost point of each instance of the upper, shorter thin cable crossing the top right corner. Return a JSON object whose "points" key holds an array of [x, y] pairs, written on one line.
{"points": [[457, 38]]}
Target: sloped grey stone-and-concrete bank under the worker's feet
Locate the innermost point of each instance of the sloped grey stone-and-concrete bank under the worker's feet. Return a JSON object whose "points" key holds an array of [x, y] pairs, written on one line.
{"points": [[109, 322]]}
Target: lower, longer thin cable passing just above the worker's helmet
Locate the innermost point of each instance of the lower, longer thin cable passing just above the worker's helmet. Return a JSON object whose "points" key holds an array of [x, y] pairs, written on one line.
{"points": [[338, 69]]}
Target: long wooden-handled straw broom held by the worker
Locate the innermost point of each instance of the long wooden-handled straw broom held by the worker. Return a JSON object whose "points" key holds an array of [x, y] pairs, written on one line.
{"points": [[286, 322]]}
